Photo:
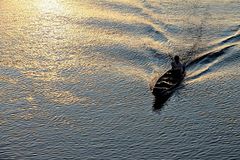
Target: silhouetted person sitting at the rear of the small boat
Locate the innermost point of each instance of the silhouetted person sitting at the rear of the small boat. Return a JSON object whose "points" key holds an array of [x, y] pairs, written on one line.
{"points": [[177, 67]]}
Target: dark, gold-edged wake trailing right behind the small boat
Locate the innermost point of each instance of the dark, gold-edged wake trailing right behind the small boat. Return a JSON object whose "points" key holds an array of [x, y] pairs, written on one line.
{"points": [[213, 60]]}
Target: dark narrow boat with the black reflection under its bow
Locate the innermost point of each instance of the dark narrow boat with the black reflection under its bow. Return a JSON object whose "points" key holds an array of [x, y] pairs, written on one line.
{"points": [[165, 86]]}
